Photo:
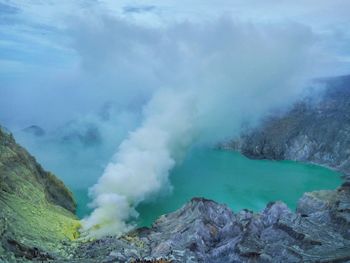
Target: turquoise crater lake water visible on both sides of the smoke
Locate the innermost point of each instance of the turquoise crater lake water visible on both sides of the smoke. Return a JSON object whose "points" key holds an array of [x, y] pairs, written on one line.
{"points": [[232, 179]]}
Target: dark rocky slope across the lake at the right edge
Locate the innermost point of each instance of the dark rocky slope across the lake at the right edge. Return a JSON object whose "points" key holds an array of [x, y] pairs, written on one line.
{"points": [[316, 130]]}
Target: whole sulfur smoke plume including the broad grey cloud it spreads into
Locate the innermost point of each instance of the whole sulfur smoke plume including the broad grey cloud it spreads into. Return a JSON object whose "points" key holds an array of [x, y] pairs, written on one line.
{"points": [[209, 80]]}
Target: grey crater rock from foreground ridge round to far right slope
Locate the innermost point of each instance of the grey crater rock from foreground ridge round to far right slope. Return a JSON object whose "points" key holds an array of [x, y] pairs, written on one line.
{"points": [[317, 130]]}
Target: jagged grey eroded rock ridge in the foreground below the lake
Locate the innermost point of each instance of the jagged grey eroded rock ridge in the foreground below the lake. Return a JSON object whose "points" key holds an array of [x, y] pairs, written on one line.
{"points": [[204, 231]]}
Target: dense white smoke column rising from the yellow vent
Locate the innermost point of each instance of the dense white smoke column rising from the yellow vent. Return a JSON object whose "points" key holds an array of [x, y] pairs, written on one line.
{"points": [[142, 163]]}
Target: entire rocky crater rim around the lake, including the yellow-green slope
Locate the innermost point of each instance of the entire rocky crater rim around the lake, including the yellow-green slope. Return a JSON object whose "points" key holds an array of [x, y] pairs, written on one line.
{"points": [[37, 221]]}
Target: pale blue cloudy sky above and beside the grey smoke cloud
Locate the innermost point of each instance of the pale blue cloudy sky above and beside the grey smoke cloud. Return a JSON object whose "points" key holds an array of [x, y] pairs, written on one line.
{"points": [[42, 50]]}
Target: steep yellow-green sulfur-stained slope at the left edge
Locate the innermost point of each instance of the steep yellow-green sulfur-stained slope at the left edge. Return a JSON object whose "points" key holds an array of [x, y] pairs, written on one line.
{"points": [[36, 209]]}
